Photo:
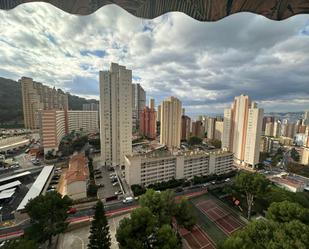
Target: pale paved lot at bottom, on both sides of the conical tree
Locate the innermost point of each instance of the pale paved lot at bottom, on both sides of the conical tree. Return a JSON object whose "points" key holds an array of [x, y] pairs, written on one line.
{"points": [[78, 238]]}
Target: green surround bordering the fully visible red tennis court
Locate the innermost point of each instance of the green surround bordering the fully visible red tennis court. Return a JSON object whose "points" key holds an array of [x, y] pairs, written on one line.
{"points": [[213, 231]]}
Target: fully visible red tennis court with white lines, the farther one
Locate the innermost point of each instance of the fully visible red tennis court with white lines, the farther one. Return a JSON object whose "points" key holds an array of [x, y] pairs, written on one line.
{"points": [[223, 219]]}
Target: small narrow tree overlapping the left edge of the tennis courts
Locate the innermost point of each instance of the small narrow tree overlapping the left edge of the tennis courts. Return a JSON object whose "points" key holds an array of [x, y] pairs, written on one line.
{"points": [[184, 215]]}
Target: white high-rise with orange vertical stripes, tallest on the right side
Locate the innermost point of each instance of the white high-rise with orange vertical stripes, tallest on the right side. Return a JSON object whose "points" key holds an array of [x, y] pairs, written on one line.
{"points": [[242, 130]]}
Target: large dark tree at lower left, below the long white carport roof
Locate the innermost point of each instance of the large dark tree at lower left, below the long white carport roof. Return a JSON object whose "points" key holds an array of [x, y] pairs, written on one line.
{"points": [[48, 214]]}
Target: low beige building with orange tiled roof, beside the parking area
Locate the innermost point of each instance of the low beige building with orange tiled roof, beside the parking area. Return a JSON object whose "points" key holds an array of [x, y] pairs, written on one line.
{"points": [[76, 177]]}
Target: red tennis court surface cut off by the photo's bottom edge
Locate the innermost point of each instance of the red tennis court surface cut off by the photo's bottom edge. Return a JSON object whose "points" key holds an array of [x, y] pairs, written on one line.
{"points": [[196, 239]]}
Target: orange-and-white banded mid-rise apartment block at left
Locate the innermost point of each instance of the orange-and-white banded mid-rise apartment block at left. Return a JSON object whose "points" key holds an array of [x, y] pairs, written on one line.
{"points": [[53, 129]]}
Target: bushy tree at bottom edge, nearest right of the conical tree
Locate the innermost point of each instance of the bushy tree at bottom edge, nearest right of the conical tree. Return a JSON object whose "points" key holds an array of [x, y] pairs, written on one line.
{"points": [[137, 232]]}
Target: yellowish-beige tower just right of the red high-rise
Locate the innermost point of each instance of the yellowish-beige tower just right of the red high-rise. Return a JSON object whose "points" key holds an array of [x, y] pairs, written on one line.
{"points": [[170, 133]]}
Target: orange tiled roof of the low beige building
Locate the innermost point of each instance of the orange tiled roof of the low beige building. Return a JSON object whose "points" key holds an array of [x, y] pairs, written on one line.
{"points": [[78, 169]]}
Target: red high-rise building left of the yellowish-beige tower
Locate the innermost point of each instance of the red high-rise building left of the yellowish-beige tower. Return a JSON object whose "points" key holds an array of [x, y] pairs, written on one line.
{"points": [[147, 126]]}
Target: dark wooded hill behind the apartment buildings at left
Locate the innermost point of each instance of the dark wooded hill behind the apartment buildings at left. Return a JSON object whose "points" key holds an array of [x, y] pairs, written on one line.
{"points": [[11, 110]]}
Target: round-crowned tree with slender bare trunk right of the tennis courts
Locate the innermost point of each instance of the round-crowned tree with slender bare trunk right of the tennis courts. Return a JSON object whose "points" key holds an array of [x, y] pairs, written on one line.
{"points": [[252, 185]]}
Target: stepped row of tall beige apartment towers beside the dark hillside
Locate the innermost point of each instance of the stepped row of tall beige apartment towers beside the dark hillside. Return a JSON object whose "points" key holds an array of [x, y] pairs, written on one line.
{"points": [[35, 97]]}
